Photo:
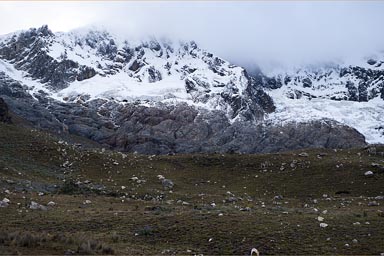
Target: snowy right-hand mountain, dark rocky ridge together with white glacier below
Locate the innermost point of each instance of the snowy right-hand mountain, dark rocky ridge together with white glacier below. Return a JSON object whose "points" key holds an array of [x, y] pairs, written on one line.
{"points": [[351, 93]]}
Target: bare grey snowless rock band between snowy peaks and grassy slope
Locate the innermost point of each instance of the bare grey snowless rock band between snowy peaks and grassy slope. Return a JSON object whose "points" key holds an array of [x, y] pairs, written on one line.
{"points": [[162, 129]]}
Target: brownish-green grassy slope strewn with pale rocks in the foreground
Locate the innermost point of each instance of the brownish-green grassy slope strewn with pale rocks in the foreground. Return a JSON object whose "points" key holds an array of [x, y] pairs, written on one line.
{"points": [[135, 221]]}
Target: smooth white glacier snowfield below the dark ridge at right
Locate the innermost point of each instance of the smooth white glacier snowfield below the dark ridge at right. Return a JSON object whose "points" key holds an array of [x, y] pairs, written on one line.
{"points": [[365, 117]]}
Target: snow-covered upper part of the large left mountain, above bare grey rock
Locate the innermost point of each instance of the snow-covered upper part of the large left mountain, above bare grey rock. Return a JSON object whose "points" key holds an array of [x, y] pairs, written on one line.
{"points": [[97, 65]]}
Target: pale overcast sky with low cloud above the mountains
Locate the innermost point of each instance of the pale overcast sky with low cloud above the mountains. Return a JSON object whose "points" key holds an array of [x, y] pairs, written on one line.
{"points": [[286, 31]]}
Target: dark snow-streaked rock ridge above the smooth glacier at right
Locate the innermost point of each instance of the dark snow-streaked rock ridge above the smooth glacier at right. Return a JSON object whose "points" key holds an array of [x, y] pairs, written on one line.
{"points": [[336, 82]]}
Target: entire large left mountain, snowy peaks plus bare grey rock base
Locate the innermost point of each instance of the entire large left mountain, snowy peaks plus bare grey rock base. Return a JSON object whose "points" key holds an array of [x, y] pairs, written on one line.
{"points": [[151, 96]]}
